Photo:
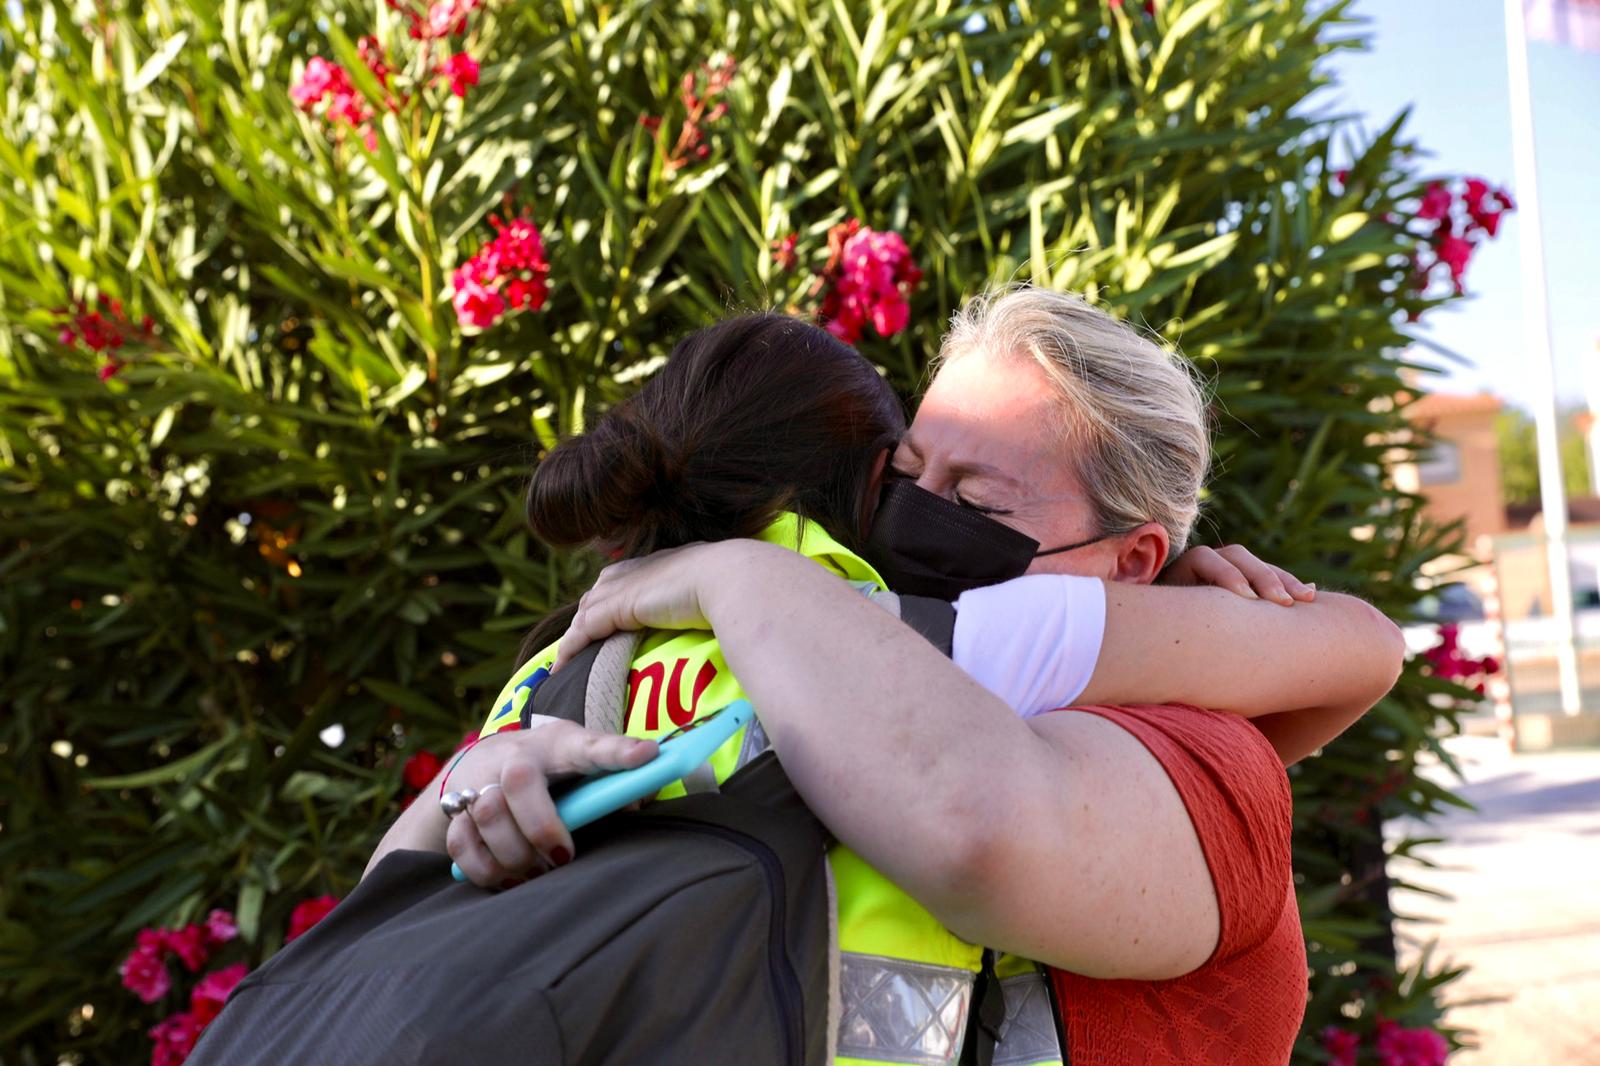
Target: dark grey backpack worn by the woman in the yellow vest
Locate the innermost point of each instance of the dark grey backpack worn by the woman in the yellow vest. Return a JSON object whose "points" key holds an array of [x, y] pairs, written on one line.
{"points": [[700, 931]]}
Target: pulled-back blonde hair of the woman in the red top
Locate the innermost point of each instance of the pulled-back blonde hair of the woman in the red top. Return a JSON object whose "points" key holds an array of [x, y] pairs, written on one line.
{"points": [[1135, 414]]}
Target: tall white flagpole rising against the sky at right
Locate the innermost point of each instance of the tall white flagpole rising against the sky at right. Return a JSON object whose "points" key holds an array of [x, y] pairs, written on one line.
{"points": [[1553, 495]]}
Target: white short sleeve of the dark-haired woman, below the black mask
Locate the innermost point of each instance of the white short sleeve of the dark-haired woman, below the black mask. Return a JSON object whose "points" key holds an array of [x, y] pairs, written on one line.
{"points": [[1033, 641]]}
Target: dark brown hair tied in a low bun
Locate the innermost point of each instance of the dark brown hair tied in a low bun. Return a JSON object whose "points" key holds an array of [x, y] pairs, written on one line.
{"points": [[751, 417]]}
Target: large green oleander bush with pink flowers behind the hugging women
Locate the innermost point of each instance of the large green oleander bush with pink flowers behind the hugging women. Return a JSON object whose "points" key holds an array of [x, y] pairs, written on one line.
{"points": [[294, 297]]}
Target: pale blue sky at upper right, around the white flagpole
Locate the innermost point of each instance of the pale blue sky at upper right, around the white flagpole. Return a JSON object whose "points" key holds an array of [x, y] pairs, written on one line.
{"points": [[1447, 62]]}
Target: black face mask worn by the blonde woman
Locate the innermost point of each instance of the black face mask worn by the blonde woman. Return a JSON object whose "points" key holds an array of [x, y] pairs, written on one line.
{"points": [[926, 545]]}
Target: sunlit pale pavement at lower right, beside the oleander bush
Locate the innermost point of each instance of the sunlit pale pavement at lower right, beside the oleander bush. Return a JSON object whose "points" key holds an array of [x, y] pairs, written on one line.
{"points": [[1524, 873]]}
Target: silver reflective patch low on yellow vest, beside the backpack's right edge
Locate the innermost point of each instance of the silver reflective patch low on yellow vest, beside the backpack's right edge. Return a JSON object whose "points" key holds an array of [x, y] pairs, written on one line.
{"points": [[902, 1012]]}
